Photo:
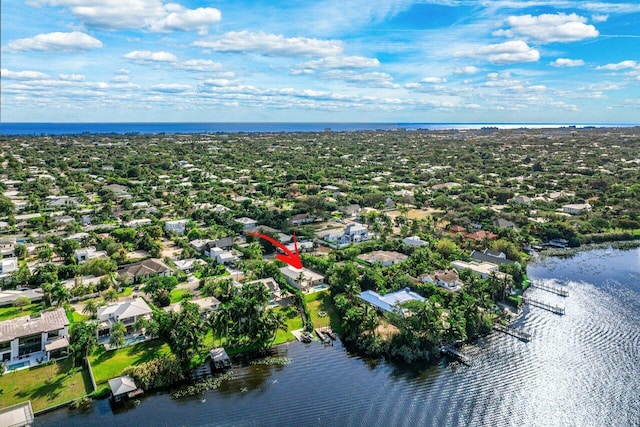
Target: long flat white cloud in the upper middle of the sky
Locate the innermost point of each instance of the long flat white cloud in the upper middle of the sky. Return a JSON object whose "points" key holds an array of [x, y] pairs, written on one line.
{"points": [[271, 44]]}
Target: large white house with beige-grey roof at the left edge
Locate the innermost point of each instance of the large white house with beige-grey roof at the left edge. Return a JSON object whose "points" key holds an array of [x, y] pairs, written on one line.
{"points": [[26, 341]]}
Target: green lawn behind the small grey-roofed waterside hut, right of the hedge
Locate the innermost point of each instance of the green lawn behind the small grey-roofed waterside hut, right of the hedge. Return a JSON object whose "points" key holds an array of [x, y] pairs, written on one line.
{"points": [[110, 364]]}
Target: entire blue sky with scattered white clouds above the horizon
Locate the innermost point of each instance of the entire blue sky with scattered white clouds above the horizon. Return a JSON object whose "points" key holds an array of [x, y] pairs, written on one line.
{"points": [[333, 60]]}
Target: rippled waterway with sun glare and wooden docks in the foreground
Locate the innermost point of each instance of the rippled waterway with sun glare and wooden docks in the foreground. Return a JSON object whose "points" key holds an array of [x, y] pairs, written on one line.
{"points": [[580, 369]]}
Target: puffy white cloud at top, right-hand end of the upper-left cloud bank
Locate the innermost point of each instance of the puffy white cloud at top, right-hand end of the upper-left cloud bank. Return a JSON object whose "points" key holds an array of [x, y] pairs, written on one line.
{"points": [[183, 19]]}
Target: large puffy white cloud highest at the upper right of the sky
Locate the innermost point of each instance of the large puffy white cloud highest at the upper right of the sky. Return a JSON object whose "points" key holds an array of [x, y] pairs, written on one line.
{"points": [[548, 28]]}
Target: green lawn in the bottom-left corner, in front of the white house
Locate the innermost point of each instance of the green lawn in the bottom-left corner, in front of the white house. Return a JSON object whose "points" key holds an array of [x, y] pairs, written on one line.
{"points": [[45, 386]]}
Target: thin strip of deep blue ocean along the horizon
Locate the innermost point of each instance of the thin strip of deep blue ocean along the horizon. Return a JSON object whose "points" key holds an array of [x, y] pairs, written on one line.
{"points": [[173, 128]]}
